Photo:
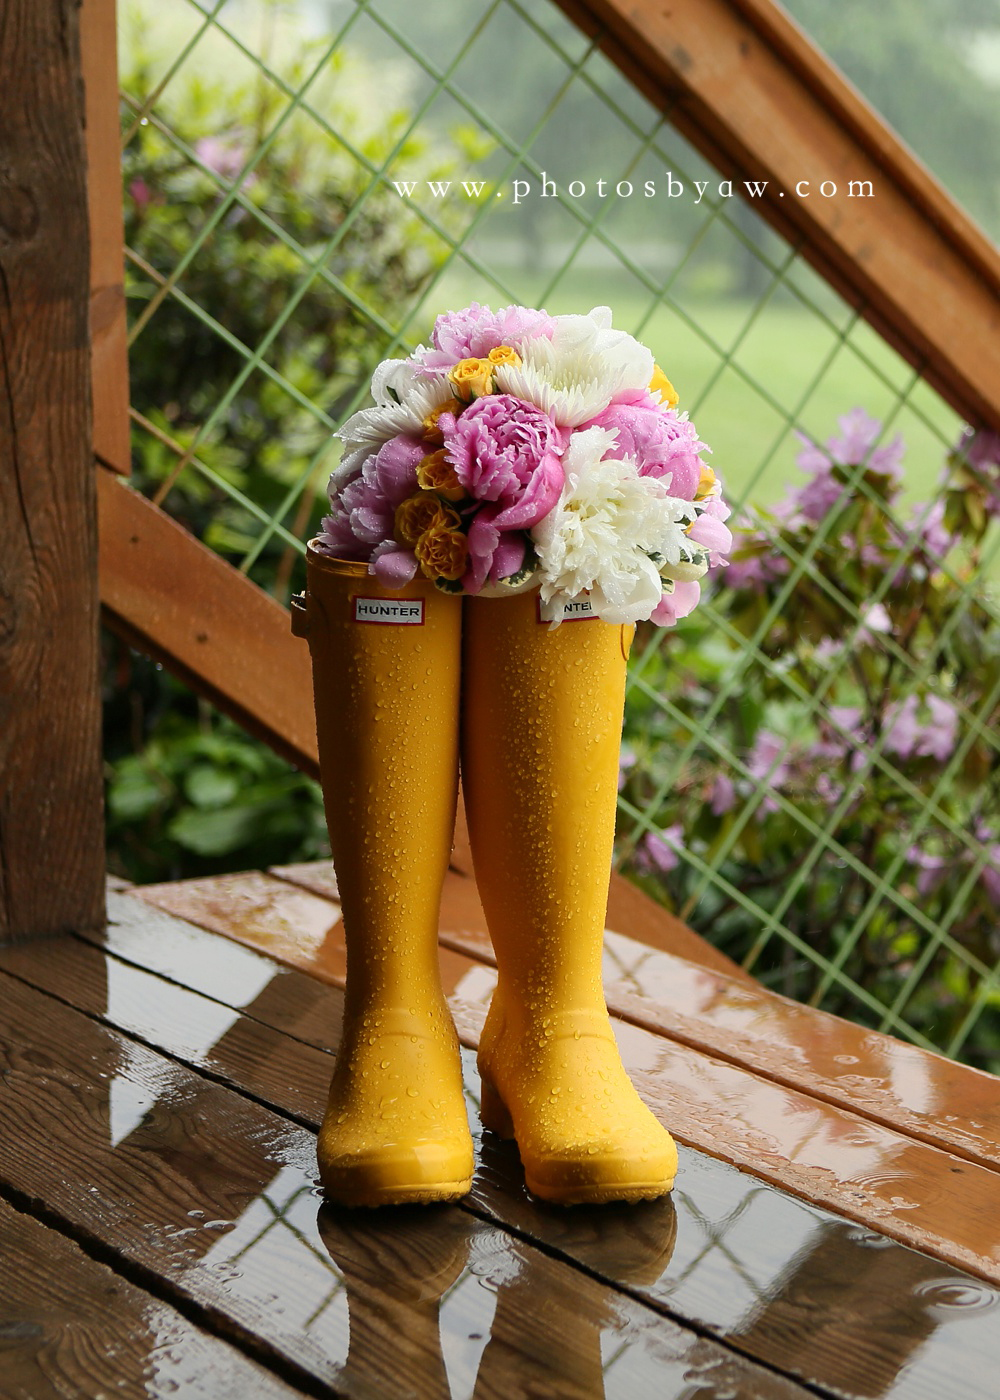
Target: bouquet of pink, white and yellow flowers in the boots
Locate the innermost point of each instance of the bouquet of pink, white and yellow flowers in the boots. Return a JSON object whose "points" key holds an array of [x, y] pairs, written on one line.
{"points": [[525, 450]]}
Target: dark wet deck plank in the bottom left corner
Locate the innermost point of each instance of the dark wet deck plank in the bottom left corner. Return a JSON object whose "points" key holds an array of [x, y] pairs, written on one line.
{"points": [[71, 1326]]}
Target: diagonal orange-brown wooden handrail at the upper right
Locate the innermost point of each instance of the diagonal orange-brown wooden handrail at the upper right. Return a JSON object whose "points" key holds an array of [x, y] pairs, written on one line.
{"points": [[744, 86]]}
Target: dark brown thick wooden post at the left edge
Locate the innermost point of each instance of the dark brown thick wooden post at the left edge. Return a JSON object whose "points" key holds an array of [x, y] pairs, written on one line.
{"points": [[51, 806]]}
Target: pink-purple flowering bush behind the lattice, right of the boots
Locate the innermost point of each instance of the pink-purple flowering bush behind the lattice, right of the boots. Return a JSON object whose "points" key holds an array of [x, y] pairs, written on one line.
{"points": [[856, 736]]}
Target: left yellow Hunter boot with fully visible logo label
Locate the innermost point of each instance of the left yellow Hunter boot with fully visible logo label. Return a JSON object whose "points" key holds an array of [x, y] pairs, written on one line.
{"points": [[386, 670]]}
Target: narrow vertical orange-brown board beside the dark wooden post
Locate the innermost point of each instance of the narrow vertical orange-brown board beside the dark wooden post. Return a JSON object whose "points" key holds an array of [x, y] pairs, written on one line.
{"points": [[109, 324]]}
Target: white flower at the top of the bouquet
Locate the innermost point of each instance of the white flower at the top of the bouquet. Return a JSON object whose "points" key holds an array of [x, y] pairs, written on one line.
{"points": [[578, 373]]}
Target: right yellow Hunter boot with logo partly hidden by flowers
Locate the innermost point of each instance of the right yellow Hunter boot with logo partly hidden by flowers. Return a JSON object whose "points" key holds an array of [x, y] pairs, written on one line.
{"points": [[541, 736]]}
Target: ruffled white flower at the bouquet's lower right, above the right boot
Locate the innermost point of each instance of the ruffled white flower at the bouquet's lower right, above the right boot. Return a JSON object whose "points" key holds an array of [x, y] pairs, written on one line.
{"points": [[609, 535]]}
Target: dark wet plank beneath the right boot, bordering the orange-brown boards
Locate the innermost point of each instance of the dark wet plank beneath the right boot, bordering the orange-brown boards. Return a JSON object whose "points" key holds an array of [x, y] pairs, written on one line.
{"points": [[730, 1255]]}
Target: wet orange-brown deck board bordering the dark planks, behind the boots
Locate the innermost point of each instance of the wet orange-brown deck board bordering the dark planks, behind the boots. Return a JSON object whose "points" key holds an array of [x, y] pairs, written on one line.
{"points": [[866, 1171]]}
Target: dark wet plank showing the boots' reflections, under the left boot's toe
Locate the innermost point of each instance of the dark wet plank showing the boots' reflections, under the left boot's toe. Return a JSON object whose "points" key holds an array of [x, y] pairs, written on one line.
{"points": [[215, 1195]]}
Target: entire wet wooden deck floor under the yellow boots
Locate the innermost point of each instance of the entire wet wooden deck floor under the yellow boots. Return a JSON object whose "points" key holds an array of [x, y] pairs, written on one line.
{"points": [[835, 1228]]}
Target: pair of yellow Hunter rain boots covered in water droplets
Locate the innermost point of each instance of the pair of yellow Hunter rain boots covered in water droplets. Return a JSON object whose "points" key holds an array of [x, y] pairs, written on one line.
{"points": [[403, 681]]}
